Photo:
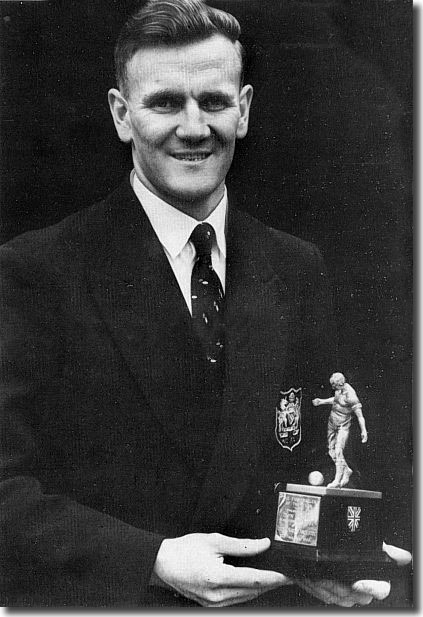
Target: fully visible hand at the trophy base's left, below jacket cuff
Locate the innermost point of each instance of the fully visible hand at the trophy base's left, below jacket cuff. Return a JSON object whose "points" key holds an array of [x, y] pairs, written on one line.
{"points": [[194, 566]]}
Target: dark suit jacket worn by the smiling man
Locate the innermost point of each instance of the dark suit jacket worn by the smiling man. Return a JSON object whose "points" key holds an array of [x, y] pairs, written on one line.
{"points": [[103, 410]]}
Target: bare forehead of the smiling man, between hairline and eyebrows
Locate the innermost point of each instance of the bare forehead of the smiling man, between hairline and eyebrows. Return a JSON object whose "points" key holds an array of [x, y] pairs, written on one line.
{"points": [[213, 62]]}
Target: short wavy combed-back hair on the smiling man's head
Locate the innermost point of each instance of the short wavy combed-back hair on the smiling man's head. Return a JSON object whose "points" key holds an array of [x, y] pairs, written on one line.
{"points": [[170, 23]]}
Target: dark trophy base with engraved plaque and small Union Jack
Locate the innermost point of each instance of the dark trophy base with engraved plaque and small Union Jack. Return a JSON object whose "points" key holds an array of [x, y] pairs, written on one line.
{"points": [[329, 533]]}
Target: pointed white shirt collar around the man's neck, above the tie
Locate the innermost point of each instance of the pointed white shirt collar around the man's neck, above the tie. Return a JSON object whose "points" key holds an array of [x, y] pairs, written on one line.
{"points": [[173, 227]]}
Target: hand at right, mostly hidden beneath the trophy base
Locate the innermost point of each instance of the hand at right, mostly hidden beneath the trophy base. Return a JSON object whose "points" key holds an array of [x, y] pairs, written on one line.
{"points": [[360, 592]]}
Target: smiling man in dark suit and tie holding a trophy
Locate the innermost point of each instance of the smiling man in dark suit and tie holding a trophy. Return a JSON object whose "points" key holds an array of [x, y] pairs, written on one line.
{"points": [[139, 452]]}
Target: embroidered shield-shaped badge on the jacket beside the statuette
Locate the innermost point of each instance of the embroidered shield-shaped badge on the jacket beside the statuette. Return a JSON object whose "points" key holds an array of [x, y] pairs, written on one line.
{"points": [[288, 419]]}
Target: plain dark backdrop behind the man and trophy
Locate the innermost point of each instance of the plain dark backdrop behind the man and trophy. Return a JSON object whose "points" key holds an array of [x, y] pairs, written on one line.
{"points": [[328, 157]]}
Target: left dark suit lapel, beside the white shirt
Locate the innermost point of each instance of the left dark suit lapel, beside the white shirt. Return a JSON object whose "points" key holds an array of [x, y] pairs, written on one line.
{"points": [[140, 300]]}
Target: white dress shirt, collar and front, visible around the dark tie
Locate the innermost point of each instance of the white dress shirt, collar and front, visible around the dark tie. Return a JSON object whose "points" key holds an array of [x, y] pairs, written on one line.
{"points": [[174, 228]]}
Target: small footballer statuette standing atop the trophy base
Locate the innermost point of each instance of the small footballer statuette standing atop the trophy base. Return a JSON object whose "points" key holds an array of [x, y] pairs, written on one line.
{"points": [[344, 403]]}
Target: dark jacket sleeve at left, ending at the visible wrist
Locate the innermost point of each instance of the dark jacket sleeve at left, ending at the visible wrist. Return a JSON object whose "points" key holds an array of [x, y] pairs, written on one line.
{"points": [[55, 552]]}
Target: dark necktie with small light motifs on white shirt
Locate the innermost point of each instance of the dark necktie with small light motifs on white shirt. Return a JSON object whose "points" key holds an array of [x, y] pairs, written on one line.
{"points": [[207, 295]]}
